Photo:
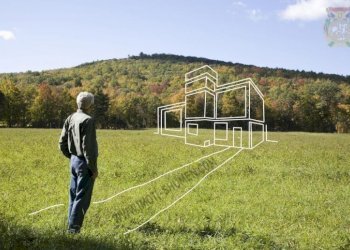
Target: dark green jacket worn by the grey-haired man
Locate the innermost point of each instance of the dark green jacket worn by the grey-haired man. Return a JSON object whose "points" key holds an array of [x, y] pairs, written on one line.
{"points": [[78, 137]]}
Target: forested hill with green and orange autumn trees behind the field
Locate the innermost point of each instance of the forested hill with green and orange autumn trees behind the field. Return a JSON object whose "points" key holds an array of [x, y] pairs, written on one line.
{"points": [[129, 90]]}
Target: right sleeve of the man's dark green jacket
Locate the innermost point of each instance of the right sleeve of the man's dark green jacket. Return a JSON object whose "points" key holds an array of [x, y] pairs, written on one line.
{"points": [[89, 144]]}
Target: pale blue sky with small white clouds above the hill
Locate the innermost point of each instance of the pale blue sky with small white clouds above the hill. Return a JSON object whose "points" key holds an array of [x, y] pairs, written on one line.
{"points": [[41, 34]]}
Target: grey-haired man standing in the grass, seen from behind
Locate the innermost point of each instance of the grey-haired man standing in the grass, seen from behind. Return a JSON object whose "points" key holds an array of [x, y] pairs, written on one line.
{"points": [[78, 143]]}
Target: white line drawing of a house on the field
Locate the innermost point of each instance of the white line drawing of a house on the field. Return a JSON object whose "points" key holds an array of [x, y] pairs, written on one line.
{"points": [[239, 130]]}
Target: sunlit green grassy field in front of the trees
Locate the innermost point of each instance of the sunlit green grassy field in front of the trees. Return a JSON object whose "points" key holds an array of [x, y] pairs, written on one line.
{"points": [[294, 194]]}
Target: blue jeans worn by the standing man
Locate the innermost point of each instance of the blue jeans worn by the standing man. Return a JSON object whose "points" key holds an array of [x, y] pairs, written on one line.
{"points": [[80, 192]]}
